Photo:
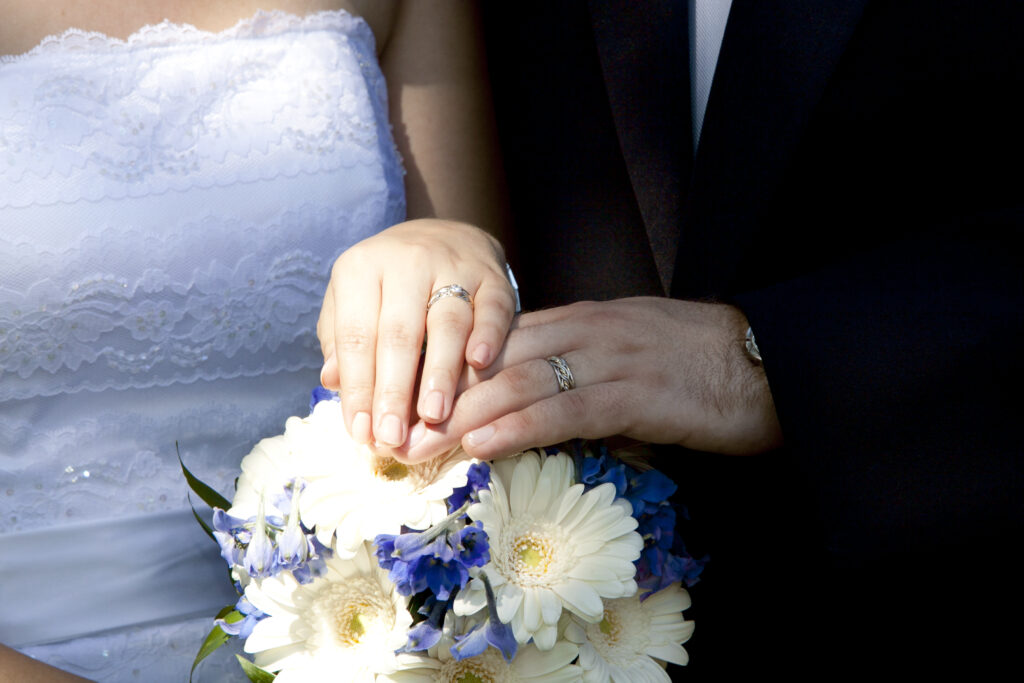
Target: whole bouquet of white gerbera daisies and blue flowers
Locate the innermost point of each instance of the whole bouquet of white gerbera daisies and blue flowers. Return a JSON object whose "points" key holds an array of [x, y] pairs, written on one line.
{"points": [[546, 567]]}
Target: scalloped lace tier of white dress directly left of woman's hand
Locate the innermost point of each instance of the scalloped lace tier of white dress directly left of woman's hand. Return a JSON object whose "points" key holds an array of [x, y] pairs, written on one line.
{"points": [[101, 320]]}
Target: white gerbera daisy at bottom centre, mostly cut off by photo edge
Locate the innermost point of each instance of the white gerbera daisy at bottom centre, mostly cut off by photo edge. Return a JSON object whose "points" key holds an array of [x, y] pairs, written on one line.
{"points": [[529, 666]]}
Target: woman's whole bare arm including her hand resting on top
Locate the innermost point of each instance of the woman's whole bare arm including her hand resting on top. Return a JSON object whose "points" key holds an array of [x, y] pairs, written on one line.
{"points": [[374, 317]]}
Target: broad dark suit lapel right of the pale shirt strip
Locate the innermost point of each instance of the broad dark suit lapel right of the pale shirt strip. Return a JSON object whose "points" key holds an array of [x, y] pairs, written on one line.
{"points": [[776, 61]]}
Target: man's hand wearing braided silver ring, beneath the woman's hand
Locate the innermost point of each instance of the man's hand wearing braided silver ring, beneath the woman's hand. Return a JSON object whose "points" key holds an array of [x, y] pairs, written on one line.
{"points": [[657, 370]]}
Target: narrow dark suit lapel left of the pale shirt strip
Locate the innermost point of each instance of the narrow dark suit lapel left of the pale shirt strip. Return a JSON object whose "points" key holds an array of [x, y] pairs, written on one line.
{"points": [[645, 57]]}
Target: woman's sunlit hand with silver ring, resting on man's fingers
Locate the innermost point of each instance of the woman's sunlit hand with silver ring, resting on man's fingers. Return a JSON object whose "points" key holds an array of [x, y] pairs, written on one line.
{"points": [[375, 314]]}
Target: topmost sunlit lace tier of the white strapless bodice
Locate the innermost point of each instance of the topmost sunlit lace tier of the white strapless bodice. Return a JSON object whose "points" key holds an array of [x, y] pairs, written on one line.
{"points": [[145, 116]]}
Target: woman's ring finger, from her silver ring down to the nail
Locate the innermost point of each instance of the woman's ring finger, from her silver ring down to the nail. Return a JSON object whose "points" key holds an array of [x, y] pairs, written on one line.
{"points": [[449, 323]]}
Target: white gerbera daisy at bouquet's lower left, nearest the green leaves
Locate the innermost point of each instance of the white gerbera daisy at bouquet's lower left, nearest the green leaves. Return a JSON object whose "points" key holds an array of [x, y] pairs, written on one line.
{"points": [[351, 620]]}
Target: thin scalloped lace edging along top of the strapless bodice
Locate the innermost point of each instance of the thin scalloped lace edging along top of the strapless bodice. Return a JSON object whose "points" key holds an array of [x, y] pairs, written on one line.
{"points": [[263, 24]]}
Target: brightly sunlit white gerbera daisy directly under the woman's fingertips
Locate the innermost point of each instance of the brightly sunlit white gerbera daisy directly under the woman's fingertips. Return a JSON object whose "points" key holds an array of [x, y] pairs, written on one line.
{"points": [[356, 493]]}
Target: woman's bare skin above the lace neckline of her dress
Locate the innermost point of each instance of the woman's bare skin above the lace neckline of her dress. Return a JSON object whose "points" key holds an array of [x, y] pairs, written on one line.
{"points": [[26, 23]]}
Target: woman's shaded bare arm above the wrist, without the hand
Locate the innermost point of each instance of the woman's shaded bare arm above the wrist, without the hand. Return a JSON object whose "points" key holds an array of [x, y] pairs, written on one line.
{"points": [[443, 116]]}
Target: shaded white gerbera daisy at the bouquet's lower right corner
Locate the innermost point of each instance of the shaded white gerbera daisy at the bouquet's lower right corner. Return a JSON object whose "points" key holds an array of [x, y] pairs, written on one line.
{"points": [[634, 638]]}
